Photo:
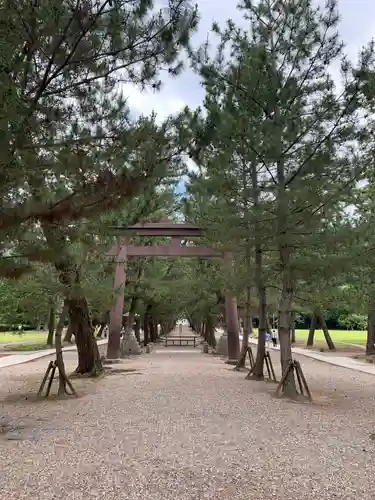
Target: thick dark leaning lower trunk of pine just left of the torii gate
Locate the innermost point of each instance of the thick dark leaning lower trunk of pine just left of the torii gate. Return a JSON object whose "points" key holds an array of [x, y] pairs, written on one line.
{"points": [[88, 353]]}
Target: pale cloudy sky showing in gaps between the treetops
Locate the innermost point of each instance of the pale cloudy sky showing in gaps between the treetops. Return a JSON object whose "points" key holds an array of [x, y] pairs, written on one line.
{"points": [[357, 28]]}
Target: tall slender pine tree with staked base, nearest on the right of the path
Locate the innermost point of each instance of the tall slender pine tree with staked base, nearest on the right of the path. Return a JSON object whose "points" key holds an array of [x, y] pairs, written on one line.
{"points": [[303, 130]]}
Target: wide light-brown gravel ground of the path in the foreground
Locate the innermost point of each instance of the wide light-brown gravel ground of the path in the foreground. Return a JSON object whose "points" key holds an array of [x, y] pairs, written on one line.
{"points": [[186, 426]]}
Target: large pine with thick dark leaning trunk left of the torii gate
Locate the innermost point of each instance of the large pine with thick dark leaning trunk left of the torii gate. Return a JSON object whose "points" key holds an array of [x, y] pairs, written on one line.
{"points": [[70, 148]]}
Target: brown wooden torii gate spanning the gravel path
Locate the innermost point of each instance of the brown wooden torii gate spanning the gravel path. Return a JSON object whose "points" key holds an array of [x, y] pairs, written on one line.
{"points": [[176, 232]]}
